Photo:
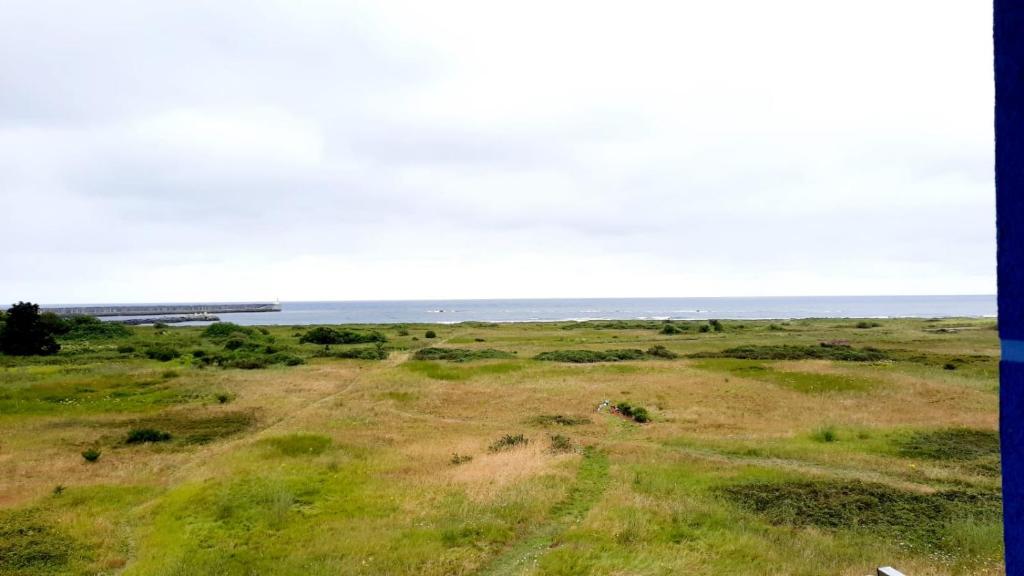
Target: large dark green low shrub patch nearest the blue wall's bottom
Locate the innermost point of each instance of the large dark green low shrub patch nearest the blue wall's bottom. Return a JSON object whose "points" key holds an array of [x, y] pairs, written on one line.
{"points": [[913, 519]]}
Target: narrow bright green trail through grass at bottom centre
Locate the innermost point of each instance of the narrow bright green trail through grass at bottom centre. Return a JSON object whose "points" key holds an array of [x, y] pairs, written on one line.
{"points": [[592, 479]]}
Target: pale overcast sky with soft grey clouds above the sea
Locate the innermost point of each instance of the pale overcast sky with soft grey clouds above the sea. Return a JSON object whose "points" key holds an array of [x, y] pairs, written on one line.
{"points": [[239, 150]]}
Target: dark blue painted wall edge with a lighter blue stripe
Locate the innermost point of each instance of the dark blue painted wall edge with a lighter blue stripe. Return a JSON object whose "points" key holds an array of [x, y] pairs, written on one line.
{"points": [[1009, 37]]}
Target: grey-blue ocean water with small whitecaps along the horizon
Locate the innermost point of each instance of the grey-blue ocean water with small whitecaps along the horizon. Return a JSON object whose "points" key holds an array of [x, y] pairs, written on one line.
{"points": [[621, 309]]}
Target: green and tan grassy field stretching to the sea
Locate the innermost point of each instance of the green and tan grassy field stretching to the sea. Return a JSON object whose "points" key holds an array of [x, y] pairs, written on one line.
{"points": [[766, 452]]}
